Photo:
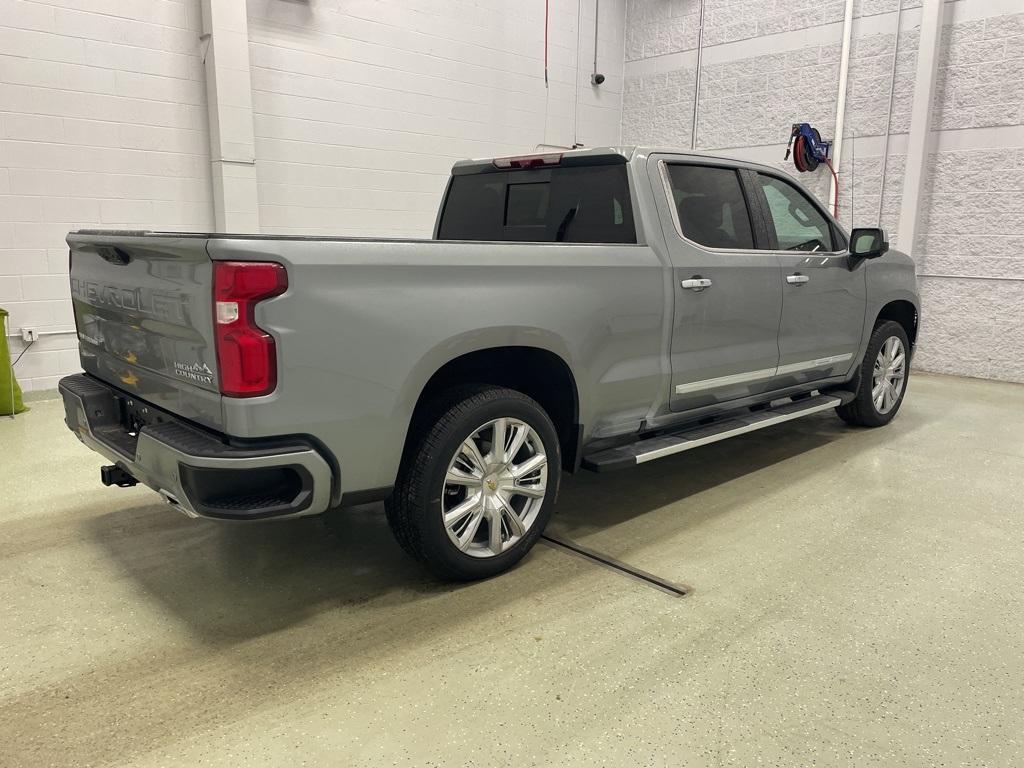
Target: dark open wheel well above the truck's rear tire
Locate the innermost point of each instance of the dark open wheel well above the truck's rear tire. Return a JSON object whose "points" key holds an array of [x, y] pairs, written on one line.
{"points": [[539, 373]]}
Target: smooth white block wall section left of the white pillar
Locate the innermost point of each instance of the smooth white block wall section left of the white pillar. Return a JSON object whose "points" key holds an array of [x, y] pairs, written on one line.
{"points": [[103, 124]]}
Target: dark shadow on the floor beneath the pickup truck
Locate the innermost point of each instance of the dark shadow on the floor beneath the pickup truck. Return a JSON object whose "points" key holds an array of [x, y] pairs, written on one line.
{"points": [[233, 582]]}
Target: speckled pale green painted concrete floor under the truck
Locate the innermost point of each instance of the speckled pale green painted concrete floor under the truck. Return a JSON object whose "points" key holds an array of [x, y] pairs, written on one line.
{"points": [[858, 602]]}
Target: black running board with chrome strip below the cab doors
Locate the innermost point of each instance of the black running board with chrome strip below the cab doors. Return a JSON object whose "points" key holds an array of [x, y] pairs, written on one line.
{"points": [[664, 445]]}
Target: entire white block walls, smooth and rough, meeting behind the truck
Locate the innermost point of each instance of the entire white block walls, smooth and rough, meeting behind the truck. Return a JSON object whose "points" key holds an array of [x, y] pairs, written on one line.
{"points": [[360, 108]]}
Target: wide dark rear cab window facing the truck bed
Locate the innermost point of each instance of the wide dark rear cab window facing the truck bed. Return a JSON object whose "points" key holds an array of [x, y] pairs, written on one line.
{"points": [[582, 204]]}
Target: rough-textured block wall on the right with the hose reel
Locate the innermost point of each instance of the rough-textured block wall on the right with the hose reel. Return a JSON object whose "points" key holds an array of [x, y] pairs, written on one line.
{"points": [[769, 65]]}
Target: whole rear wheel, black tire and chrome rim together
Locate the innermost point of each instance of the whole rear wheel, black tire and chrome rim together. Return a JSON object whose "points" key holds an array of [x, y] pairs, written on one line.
{"points": [[477, 489]]}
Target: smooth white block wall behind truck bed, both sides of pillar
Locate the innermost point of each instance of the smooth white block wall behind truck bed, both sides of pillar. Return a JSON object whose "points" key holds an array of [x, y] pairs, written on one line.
{"points": [[360, 110]]}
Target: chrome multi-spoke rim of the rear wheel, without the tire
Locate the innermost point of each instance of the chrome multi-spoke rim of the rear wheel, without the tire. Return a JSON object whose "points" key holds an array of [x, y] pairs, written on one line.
{"points": [[494, 488]]}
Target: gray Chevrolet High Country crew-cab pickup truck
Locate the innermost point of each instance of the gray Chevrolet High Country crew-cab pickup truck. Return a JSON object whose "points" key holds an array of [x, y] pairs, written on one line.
{"points": [[592, 310]]}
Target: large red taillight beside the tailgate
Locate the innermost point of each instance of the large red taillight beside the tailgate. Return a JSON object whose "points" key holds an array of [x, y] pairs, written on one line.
{"points": [[246, 356]]}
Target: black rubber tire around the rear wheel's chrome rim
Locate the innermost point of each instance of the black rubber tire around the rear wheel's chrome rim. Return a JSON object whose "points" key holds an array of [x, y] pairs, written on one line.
{"points": [[414, 509]]}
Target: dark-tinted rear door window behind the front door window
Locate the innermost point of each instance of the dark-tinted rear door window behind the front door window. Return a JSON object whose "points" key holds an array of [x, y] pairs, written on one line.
{"points": [[711, 206]]}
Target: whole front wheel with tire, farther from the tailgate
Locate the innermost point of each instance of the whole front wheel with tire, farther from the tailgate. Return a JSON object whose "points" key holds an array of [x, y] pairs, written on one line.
{"points": [[883, 378]]}
